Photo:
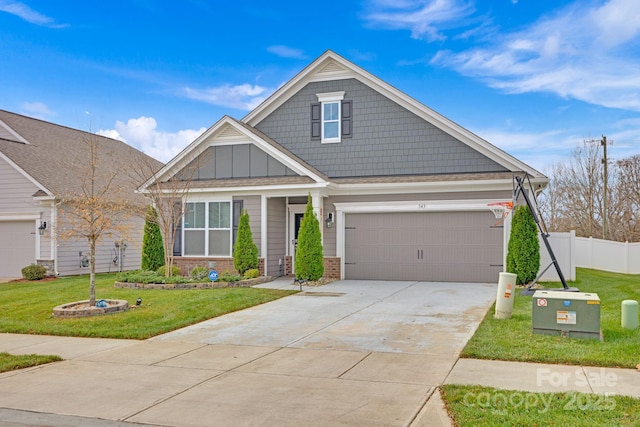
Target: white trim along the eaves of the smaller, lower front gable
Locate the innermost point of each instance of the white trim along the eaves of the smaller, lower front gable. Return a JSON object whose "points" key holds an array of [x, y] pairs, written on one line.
{"points": [[227, 131]]}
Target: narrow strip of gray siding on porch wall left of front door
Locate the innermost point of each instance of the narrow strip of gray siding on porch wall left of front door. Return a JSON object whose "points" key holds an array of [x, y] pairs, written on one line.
{"points": [[276, 235]]}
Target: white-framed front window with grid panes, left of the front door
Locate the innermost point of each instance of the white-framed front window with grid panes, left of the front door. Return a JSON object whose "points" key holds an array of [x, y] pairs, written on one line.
{"points": [[207, 228]]}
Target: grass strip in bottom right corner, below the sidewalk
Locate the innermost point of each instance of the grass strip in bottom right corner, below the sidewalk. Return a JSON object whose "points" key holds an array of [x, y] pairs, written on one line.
{"points": [[489, 407]]}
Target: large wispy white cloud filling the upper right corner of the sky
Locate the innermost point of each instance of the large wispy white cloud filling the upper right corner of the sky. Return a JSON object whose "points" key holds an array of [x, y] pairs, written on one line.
{"points": [[585, 53]]}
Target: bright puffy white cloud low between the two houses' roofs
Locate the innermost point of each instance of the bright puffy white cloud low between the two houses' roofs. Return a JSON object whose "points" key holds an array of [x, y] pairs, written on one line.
{"points": [[142, 133]]}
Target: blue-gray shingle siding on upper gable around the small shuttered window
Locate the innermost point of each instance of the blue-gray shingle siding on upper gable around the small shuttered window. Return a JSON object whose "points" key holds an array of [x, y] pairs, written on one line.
{"points": [[386, 138]]}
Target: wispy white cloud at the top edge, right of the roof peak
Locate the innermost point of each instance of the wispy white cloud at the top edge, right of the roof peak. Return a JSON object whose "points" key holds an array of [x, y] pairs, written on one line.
{"points": [[424, 18]]}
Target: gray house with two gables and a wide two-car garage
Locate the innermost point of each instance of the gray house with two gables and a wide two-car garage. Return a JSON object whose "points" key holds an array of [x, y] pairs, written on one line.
{"points": [[402, 193]]}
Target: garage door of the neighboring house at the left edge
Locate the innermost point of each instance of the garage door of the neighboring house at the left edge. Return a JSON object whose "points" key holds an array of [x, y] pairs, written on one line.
{"points": [[17, 247]]}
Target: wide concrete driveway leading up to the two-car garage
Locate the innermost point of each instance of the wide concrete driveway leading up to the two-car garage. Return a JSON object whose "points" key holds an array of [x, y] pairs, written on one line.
{"points": [[351, 353]]}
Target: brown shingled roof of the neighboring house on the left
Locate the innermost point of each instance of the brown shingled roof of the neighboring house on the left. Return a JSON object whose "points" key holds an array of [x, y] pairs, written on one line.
{"points": [[55, 157]]}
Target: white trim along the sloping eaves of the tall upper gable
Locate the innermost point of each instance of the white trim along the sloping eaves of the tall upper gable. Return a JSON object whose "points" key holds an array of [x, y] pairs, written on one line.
{"points": [[331, 66]]}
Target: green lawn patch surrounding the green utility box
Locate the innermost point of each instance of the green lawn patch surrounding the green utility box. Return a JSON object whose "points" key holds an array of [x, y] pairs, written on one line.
{"points": [[513, 339]]}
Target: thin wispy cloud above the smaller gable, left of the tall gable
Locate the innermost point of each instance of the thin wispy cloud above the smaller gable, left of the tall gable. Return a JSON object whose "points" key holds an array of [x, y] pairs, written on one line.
{"points": [[241, 97]]}
